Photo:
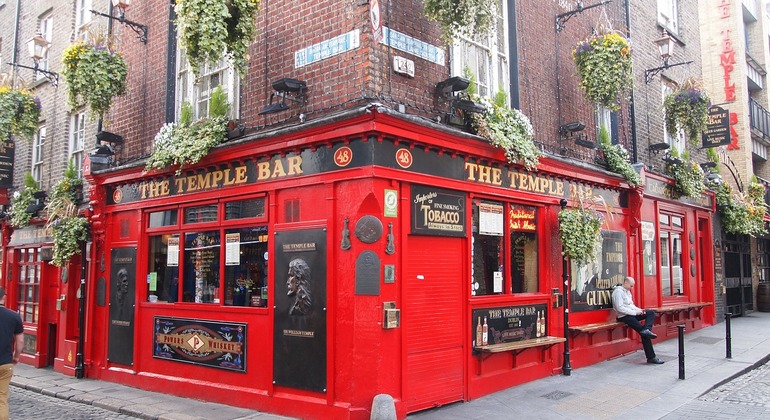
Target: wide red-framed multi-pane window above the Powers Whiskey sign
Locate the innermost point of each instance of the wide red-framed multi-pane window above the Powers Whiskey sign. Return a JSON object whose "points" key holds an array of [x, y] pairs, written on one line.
{"points": [[204, 262]]}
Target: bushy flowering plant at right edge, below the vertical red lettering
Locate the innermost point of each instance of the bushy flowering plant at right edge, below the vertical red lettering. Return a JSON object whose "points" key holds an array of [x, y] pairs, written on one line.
{"points": [[742, 213]]}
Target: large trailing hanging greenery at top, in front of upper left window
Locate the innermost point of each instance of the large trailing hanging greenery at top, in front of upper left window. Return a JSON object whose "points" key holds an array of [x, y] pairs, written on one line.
{"points": [[212, 29]]}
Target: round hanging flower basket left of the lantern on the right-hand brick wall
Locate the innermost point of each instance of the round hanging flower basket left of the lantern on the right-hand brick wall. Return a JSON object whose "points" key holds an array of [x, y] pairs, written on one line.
{"points": [[604, 65]]}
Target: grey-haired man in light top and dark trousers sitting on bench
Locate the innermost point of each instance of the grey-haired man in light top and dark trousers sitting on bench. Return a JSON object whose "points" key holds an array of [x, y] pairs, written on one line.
{"points": [[631, 315]]}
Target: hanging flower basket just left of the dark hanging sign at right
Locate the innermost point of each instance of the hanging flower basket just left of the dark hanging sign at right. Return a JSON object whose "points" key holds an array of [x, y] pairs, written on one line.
{"points": [[687, 108]]}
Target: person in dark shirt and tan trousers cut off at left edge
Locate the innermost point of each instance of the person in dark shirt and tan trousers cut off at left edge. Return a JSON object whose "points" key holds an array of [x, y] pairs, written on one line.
{"points": [[11, 341]]}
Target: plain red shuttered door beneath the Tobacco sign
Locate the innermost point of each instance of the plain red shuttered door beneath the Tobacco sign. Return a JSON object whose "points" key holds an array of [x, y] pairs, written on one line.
{"points": [[433, 321]]}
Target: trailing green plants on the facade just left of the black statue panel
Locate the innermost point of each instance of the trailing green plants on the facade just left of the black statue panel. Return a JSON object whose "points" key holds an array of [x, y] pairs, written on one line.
{"points": [[67, 229]]}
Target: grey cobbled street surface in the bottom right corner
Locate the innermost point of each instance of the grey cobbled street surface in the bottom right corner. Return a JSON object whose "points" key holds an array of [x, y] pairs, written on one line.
{"points": [[745, 397]]}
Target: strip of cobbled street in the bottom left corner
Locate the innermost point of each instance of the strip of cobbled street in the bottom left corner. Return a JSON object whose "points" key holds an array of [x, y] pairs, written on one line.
{"points": [[25, 404]]}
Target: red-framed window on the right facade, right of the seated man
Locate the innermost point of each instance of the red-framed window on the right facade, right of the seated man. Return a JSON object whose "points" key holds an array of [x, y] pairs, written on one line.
{"points": [[671, 273]]}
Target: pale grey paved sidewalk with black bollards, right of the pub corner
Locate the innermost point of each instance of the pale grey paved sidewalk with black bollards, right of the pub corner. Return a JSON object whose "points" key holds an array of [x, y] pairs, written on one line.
{"points": [[627, 387]]}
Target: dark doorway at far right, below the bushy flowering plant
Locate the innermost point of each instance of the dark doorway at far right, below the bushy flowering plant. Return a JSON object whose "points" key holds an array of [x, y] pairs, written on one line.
{"points": [[737, 266]]}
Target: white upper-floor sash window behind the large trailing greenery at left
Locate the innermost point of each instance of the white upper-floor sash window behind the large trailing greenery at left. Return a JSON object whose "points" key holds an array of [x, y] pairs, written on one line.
{"points": [[197, 92]]}
